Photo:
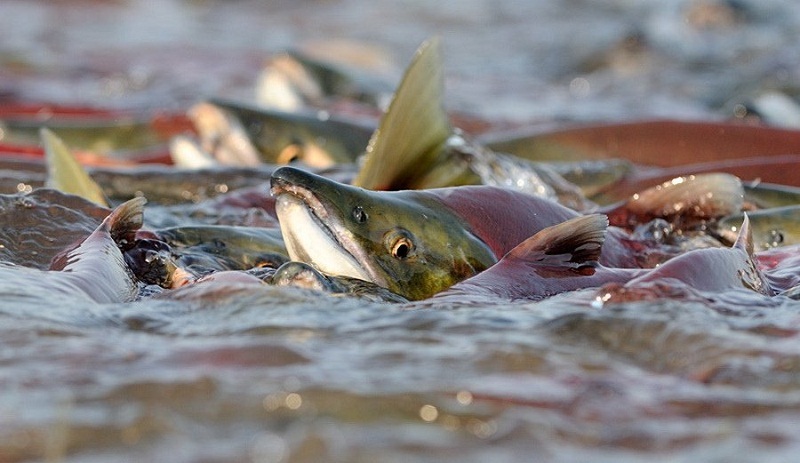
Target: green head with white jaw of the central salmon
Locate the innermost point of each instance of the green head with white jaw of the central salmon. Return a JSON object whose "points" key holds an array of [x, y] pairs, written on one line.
{"points": [[404, 241]]}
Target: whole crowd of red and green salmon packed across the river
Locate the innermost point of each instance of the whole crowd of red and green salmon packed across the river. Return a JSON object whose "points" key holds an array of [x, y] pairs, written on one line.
{"points": [[414, 209]]}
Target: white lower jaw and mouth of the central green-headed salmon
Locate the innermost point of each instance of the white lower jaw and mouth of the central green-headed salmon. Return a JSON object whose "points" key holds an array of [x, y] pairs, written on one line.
{"points": [[315, 235]]}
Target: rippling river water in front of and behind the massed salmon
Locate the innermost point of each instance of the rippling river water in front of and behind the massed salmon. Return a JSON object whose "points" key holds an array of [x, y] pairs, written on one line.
{"points": [[287, 375]]}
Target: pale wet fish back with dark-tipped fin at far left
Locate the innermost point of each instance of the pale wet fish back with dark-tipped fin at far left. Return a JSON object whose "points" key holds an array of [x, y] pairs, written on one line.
{"points": [[95, 270]]}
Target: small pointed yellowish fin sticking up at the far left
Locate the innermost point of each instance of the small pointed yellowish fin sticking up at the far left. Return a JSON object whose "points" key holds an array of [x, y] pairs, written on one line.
{"points": [[65, 174]]}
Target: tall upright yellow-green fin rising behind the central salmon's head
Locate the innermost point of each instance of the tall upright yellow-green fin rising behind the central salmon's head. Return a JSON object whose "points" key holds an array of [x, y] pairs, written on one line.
{"points": [[413, 127]]}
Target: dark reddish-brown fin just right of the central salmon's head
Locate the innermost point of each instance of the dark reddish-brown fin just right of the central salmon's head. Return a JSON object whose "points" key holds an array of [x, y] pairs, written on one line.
{"points": [[577, 241]]}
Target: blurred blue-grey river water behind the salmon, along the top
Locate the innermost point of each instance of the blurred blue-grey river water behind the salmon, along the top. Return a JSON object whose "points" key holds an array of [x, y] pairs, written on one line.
{"points": [[521, 61]]}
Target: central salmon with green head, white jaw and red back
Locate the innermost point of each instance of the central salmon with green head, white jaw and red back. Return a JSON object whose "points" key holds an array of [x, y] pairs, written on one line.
{"points": [[415, 243]]}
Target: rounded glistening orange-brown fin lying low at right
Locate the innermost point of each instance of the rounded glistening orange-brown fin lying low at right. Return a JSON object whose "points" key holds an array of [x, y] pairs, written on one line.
{"points": [[703, 196]]}
